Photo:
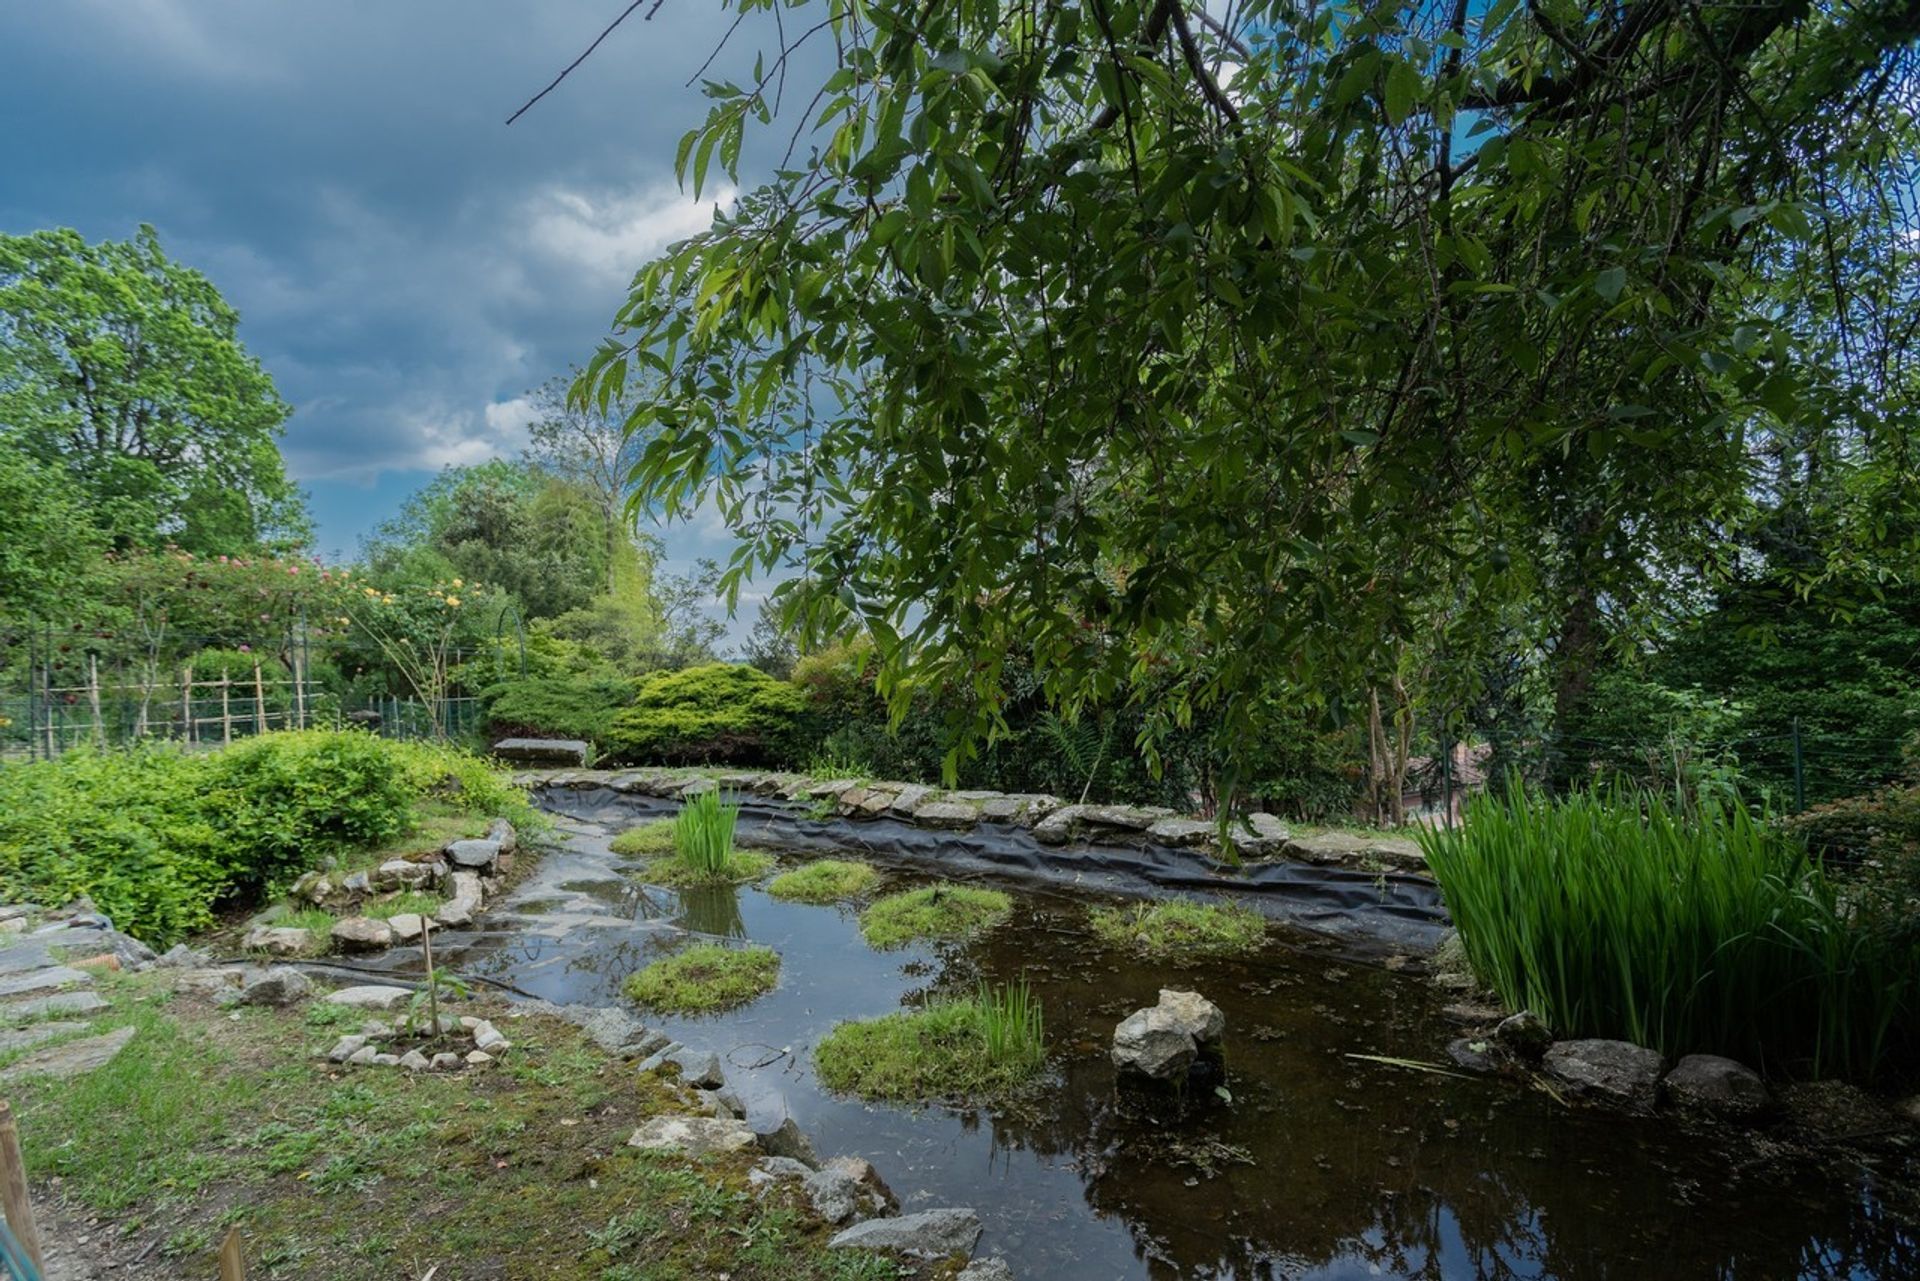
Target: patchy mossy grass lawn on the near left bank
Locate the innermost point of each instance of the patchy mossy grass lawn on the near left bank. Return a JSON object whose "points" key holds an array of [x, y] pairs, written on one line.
{"points": [[206, 1123]]}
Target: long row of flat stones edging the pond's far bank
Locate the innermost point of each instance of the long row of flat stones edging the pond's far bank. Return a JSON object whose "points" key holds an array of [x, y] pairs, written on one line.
{"points": [[1051, 819]]}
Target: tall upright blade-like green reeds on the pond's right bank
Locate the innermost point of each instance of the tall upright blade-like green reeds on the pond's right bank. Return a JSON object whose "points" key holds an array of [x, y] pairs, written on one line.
{"points": [[1614, 915]]}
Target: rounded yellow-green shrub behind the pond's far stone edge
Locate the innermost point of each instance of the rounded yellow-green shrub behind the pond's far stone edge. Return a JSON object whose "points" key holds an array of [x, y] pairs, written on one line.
{"points": [[721, 713]]}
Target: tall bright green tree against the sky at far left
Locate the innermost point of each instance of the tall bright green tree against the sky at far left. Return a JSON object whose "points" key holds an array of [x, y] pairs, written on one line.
{"points": [[126, 370]]}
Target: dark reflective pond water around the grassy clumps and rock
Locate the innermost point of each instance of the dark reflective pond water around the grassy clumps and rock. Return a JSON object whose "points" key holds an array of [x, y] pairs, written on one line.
{"points": [[1322, 1165]]}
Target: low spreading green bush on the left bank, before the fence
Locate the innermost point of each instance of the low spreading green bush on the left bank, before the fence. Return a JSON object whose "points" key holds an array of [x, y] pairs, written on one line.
{"points": [[158, 838]]}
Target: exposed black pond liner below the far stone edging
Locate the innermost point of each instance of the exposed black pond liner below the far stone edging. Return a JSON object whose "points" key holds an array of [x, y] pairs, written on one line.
{"points": [[1389, 911]]}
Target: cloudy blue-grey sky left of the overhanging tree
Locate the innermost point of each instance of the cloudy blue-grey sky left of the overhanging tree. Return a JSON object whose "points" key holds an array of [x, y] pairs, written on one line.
{"points": [[406, 266]]}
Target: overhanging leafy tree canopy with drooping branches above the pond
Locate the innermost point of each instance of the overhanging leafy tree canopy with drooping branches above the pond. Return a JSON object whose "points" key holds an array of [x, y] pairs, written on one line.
{"points": [[1207, 350]]}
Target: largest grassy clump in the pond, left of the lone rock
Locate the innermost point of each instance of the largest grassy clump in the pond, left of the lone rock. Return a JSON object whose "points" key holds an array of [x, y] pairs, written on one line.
{"points": [[961, 1050]]}
